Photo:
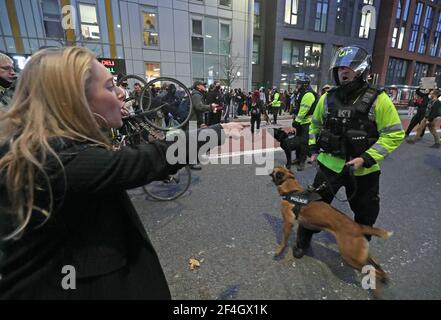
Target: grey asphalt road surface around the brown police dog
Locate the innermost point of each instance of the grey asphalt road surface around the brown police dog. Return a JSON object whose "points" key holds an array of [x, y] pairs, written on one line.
{"points": [[230, 221]]}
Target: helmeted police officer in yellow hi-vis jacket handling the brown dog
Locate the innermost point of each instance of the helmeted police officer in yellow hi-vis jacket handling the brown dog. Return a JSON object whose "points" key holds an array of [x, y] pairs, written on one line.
{"points": [[354, 125]]}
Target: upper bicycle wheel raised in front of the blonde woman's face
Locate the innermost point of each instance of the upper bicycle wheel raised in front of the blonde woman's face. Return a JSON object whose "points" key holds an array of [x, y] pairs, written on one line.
{"points": [[171, 108]]}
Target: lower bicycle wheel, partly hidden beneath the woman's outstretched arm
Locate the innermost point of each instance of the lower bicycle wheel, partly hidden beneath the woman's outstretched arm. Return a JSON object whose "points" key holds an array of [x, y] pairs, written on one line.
{"points": [[171, 188]]}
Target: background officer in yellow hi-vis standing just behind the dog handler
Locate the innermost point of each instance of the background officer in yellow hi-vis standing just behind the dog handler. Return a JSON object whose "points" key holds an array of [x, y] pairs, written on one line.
{"points": [[305, 103]]}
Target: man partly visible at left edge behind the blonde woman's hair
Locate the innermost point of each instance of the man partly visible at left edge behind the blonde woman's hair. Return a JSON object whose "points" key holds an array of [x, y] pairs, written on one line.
{"points": [[7, 81]]}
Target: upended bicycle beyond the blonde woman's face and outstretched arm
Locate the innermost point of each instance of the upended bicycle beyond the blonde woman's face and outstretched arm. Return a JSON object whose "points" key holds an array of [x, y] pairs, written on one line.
{"points": [[153, 121]]}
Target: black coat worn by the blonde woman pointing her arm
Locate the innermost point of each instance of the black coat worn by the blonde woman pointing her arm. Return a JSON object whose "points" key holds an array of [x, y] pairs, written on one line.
{"points": [[94, 229]]}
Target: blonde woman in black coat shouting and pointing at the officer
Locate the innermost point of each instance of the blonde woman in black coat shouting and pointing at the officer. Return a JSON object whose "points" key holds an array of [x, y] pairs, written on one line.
{"points": [[63, 204]]}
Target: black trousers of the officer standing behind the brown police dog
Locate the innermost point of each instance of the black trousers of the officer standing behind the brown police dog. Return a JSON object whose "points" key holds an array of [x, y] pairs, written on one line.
{"points": [[365, 204]]}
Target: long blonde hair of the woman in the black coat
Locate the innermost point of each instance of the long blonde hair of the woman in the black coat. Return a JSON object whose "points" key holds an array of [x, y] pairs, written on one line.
{"points": [[50, 101]]}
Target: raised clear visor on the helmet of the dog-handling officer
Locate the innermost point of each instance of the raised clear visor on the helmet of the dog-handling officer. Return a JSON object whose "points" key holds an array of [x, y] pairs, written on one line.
{"points": [[354, 58]]}
